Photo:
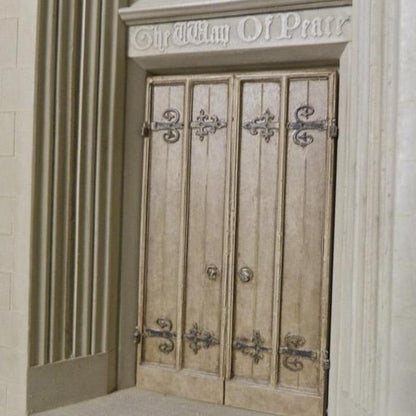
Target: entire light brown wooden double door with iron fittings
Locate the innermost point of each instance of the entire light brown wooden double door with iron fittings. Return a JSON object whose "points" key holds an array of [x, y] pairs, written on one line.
{"points": [[236, 239]]}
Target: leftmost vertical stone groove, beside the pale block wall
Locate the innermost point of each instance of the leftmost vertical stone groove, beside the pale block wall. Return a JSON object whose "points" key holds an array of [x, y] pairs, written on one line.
{"points": [[42, 202]]}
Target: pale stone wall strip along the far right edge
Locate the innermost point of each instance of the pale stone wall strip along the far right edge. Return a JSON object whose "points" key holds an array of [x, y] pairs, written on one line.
{"points": [[403, 319]]}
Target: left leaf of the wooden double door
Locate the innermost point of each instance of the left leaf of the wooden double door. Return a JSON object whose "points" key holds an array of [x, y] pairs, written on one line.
{"points": [[182, 320]]}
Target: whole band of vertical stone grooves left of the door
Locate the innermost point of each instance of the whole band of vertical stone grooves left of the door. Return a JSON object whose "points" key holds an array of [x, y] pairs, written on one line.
{"points": [[76, 219]]}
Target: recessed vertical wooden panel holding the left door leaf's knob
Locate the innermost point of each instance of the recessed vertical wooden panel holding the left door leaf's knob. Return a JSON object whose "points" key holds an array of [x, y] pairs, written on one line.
{"points": [[206, 225]]}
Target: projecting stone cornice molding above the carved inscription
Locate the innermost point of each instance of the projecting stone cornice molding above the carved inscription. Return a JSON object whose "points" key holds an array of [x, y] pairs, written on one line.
{"points": [[144, 14]]}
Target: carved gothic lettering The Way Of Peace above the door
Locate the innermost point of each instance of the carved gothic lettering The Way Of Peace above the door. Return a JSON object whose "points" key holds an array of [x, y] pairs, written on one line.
{"points": [[261, 29]]}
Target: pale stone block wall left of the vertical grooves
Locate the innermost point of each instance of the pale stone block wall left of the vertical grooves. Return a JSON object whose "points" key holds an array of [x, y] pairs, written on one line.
{"points": [[17, 62]]}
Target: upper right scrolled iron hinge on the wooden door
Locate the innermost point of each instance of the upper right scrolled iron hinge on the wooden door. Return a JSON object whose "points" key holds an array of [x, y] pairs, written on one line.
{"points": [[302, 125]]}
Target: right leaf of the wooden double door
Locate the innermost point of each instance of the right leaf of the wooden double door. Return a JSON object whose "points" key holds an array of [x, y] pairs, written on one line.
{"points": [[284, 236]]}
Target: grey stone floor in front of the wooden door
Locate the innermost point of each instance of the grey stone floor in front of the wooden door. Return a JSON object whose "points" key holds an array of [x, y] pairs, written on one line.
{"points": [[133, 402]]}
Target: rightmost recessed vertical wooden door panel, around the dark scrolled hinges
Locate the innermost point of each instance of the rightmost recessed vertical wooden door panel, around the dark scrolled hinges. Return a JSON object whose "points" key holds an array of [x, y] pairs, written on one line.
{"points": [[305, 224]]}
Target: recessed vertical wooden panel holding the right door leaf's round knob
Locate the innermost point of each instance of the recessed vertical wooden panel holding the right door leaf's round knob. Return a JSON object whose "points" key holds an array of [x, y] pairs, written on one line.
{"points": [[256, 227]]}
